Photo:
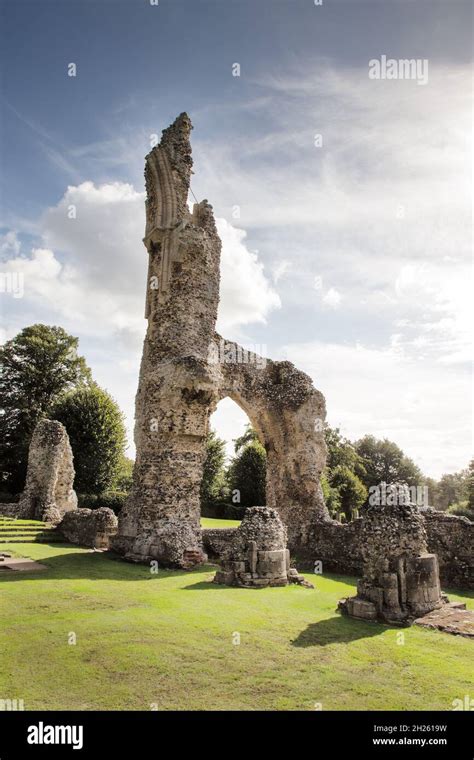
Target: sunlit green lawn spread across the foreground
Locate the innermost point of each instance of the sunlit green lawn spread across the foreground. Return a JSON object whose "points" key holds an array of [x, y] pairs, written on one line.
{"points": [[167, 640]]}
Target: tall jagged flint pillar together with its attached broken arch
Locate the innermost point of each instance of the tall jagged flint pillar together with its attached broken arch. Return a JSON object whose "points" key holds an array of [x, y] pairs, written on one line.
{"points": [[187, 368]]}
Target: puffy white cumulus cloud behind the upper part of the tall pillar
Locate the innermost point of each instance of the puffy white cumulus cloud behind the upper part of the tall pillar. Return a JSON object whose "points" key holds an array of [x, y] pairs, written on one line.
{"points": [[90, 278]]}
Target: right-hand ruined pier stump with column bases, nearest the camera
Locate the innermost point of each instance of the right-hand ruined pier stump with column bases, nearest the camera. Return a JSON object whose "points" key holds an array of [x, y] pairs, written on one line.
{"points": [[400, 579]]}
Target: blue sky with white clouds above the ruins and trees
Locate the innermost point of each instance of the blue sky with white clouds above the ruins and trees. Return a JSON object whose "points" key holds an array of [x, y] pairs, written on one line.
{"points": [[351, 259]]}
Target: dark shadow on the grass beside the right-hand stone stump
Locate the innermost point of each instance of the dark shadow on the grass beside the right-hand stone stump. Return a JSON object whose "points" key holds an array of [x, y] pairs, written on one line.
{"points": [[336, 630]]}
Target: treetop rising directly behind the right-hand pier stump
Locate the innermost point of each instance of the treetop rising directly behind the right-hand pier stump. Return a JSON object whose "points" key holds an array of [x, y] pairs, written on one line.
{"points": [[384, 461]]}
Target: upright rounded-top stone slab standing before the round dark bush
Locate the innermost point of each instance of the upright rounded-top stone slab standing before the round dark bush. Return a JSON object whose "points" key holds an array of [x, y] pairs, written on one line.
{"points": [[49, 492]]}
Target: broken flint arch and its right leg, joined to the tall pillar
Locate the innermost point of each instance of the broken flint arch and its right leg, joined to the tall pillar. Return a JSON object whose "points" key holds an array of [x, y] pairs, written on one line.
{"points": [[288, 414]]}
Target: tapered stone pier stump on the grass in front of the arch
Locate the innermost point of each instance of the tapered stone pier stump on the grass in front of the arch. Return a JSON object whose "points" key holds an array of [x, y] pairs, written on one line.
{"points": [[257, 555]]}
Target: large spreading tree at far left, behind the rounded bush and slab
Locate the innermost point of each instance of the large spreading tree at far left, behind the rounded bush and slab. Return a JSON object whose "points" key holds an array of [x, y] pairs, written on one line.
{"points": [[36, 367]]}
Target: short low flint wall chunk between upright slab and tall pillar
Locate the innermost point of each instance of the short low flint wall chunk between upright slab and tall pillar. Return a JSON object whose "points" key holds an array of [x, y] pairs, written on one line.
{"points": [[89, 527]]}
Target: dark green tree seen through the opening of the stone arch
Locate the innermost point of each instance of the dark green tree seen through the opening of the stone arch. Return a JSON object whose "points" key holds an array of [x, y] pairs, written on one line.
{"points": [[247, 471]]}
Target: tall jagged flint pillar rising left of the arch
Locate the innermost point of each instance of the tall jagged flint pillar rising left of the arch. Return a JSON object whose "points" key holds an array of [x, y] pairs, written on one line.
{"points": [[177, 385]]}
